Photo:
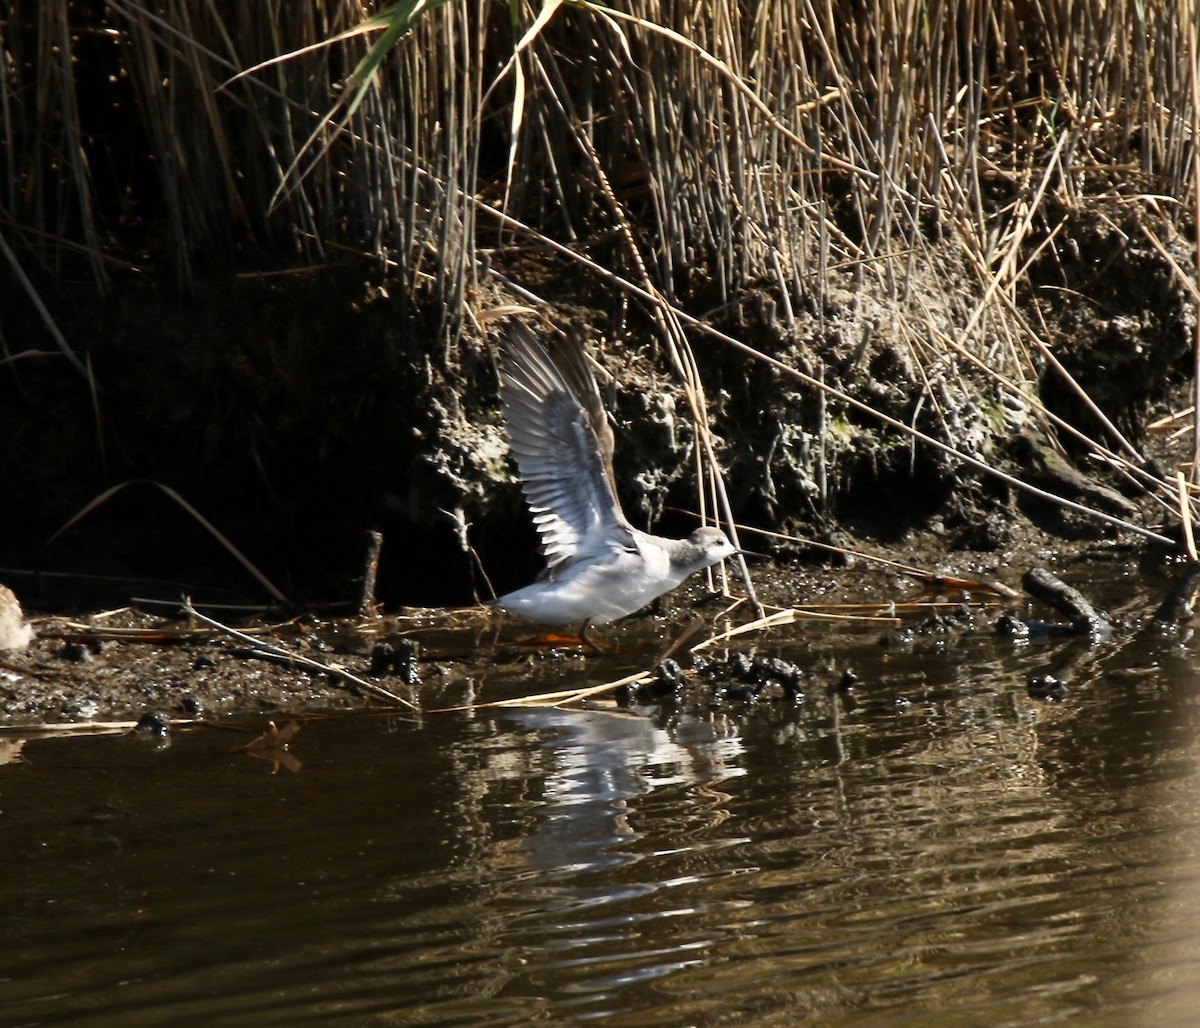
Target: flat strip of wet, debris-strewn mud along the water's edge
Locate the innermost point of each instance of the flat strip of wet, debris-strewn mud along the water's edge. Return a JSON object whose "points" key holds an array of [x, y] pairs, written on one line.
{"points": [[160, 669]]}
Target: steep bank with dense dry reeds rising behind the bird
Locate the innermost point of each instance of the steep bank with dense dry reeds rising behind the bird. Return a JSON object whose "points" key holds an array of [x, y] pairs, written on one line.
{"points": [[220, 369]]}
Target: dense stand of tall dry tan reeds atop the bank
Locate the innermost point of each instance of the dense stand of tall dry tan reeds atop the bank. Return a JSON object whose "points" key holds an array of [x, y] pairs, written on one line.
{"points": [[739, 151]]}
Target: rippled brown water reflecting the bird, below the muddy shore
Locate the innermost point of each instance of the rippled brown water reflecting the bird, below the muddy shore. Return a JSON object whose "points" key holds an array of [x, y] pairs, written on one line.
{"points": [[935, 846]]}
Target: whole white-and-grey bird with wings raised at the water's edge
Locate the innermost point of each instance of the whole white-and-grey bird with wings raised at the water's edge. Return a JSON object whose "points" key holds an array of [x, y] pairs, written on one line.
{"points": [[599, 568]]}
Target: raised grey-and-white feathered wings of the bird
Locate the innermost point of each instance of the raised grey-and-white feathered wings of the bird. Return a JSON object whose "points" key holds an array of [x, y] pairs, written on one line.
{"points": [[561, 461]]}
